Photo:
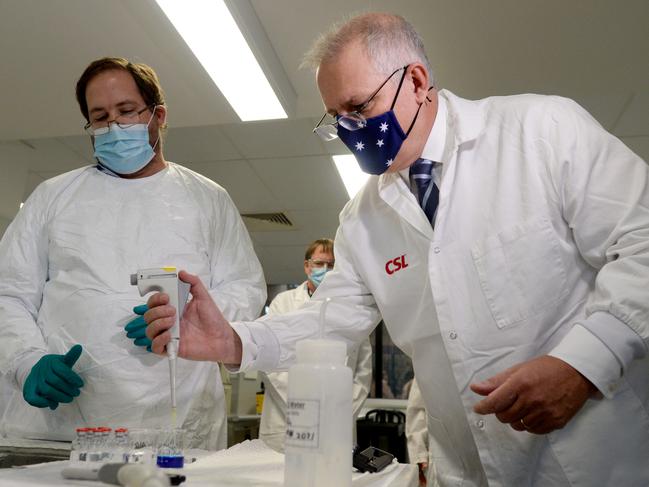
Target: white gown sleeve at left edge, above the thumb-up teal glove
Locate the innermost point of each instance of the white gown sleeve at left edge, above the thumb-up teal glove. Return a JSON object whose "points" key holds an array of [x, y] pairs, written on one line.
{"points": [[23, 275]]}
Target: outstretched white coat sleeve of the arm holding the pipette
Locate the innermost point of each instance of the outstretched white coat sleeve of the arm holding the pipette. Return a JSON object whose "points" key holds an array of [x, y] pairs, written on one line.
{"points": [[269, 343]]}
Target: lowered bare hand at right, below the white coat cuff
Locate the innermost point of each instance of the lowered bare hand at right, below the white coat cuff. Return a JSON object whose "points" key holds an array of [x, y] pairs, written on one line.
{"points": [[538, 396]]}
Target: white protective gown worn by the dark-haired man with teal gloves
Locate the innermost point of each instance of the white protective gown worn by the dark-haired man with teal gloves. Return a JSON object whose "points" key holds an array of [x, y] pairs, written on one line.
{"points": [[65, 263]]}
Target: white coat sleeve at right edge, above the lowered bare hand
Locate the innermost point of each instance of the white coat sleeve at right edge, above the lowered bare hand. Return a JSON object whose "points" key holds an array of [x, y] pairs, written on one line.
{"points": [[603, 189]]}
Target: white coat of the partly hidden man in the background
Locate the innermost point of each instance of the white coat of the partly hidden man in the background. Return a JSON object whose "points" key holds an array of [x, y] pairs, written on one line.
{"points": [[272, 428]]}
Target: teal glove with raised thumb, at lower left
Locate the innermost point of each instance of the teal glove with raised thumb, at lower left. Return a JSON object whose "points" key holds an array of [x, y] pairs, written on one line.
{"points": [[52, 380]]}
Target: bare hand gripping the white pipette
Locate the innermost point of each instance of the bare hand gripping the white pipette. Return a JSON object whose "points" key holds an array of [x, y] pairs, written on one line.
{"points": [[204, 332]]}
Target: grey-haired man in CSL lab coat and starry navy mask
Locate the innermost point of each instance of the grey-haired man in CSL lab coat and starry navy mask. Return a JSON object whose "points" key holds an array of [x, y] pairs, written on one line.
{"points": [[515, 274]]}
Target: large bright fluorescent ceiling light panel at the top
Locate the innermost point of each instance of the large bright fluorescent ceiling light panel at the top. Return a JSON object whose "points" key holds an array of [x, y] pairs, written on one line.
{"points": [[208, 28]]}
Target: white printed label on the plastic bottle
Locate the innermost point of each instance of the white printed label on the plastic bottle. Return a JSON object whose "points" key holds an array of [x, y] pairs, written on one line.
{"points": [[303, 423]]}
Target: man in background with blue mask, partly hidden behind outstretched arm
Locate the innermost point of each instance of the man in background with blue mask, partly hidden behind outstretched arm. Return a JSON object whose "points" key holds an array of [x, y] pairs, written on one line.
{"points": [[318, 261]]}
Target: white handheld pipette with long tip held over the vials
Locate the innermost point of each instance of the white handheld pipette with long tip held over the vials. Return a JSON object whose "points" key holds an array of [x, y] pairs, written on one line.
{"points": [[165, 280]]}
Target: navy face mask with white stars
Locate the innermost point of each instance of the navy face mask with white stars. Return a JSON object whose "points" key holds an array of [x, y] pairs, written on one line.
{"points": [[375, 142]]}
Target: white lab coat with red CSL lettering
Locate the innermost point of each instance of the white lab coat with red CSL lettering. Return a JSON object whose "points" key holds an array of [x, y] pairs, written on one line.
{"points": [[543, 222]]}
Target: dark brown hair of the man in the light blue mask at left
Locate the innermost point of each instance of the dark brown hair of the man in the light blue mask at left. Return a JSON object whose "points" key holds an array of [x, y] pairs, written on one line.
{"points": [[143, 75]]}
